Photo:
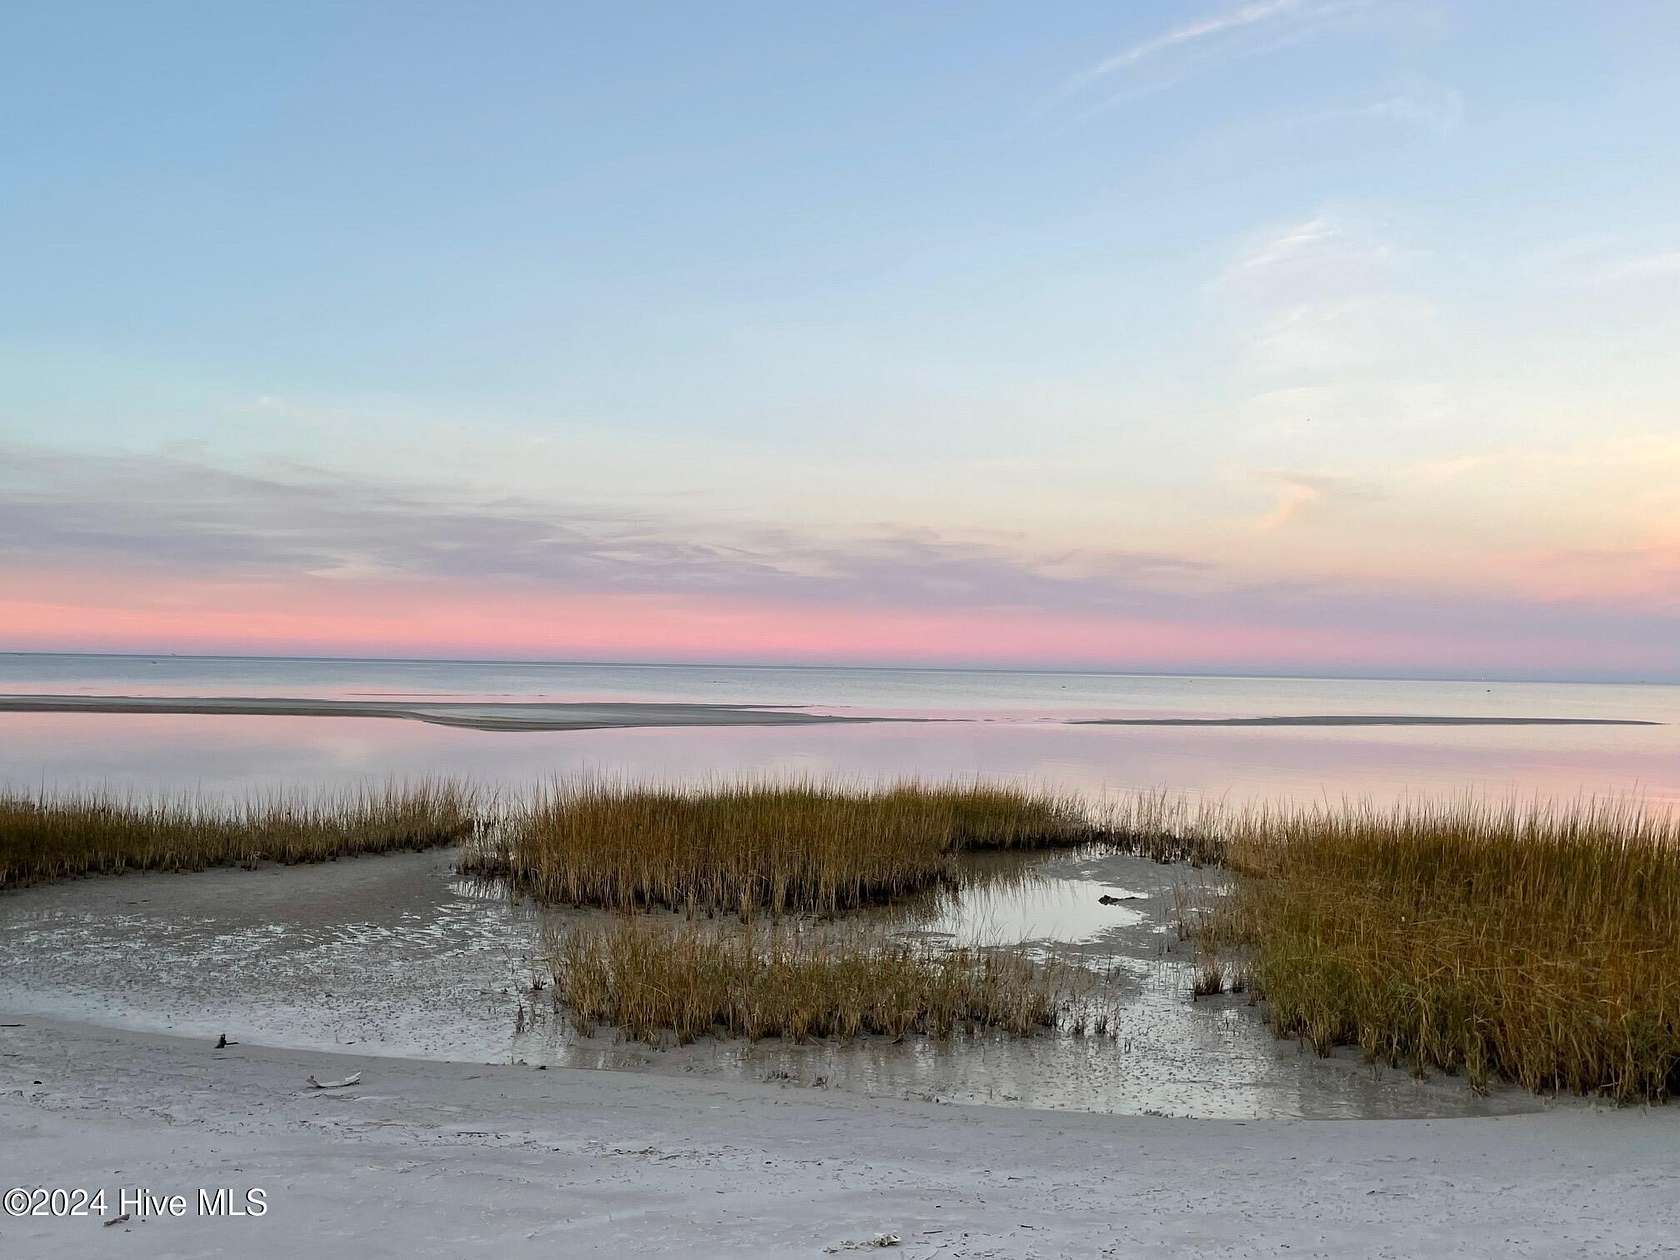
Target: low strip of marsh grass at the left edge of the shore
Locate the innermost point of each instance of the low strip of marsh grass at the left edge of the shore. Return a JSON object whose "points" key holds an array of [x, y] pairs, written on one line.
{"points": [[100, 834]]}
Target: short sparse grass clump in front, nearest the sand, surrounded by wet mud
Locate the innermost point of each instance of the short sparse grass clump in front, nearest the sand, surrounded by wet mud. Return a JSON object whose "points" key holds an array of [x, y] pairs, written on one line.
{"points": [[683, 982]]}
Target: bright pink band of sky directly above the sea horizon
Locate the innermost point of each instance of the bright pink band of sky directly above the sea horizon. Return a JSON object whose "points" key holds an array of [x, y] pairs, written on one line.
{"points": [[100, 612]]}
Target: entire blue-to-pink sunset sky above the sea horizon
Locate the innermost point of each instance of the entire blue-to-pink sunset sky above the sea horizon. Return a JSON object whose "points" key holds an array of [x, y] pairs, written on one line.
{"points": [[1313, 337]]}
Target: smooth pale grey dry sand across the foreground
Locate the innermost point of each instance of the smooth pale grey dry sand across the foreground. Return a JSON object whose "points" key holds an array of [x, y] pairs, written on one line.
{"points": [[429, 1158]]}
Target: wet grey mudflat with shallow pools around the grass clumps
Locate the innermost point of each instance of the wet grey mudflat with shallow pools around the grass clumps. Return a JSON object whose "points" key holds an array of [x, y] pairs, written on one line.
{"points": [[399, 957]]}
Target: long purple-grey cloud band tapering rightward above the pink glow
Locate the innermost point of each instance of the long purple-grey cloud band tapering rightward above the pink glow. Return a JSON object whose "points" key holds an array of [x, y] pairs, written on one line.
{"points": [[172, 515]]}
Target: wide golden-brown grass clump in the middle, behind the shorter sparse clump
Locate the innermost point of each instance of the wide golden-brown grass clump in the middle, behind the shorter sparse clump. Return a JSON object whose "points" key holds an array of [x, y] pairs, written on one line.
{"points": [[748, 848]]}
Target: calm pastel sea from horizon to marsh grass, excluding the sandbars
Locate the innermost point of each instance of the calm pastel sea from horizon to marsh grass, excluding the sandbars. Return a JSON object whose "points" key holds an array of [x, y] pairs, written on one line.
{"points": [[963, 723]]}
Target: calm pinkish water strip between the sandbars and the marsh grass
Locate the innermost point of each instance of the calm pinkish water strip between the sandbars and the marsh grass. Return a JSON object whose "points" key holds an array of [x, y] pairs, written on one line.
{"points": [[228, 753]]}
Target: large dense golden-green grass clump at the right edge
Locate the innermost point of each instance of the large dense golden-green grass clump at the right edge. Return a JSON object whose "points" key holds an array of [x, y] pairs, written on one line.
{"points": [[1538, 945]]}
